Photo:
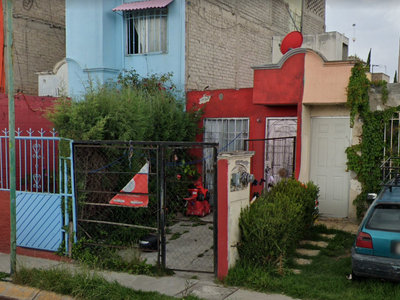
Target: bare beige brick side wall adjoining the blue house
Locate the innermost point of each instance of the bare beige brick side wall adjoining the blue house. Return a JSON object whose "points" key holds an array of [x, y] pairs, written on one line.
{"points": [[224, 38]]}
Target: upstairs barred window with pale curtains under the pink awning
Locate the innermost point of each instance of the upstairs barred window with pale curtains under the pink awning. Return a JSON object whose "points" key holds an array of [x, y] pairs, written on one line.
{"points": [[146, 31]]}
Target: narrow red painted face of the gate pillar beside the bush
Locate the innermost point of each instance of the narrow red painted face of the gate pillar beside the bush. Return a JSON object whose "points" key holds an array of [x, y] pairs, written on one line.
{"points": [[222, 263]]}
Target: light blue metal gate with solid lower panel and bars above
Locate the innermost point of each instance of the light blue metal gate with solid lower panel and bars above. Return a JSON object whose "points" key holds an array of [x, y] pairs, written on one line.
{"points": [[45, 191]]}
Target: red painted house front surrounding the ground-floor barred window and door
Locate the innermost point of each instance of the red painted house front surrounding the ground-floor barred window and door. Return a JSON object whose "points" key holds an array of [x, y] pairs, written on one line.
{"points": [[276, 93]]}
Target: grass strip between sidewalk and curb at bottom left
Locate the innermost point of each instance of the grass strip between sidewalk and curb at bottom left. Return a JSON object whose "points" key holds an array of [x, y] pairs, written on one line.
{"points": [[82, 285]]}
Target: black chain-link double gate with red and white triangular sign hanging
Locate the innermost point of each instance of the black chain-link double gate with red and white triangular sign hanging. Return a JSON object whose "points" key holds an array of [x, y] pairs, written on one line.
{"points": [[133, 195]]}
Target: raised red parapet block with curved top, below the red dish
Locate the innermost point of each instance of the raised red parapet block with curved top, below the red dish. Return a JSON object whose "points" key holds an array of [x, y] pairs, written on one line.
{"points": [[282, 86]]}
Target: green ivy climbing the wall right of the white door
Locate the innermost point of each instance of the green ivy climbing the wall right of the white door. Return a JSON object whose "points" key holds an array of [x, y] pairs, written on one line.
{"points": [[366, 157]]}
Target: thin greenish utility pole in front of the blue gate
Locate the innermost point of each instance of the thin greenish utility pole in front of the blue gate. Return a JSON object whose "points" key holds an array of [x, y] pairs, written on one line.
{"points": [[11, 122]]}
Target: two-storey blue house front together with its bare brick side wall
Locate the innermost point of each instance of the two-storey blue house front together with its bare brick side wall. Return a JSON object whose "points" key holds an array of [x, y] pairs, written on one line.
{"points": [[203, 43]]}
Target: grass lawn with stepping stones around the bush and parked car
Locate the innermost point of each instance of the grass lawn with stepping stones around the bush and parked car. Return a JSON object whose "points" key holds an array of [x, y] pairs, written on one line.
{"points": [[325, 278]]}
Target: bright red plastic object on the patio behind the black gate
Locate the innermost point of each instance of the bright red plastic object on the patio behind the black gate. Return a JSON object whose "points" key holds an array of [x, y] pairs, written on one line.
{"points": [[198, 204]]}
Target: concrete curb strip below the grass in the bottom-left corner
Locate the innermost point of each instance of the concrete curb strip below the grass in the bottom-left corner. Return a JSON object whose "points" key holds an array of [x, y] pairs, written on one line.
{"points": [[19, 292]]}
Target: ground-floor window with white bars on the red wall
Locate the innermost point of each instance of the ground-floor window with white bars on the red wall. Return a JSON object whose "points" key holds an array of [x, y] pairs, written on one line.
{"points": [[229, 133]]}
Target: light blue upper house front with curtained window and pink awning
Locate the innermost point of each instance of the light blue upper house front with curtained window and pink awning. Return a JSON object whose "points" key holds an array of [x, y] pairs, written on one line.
{"points": [[106, 37]]}
